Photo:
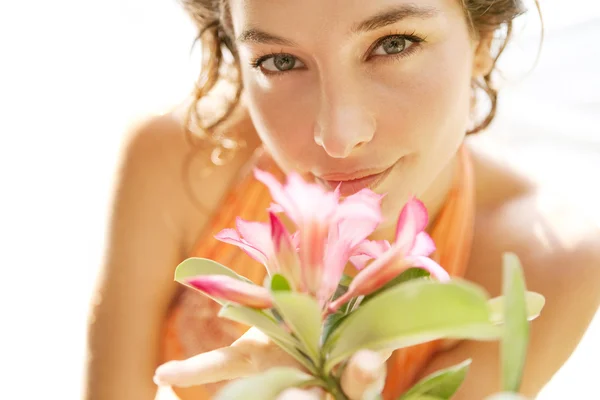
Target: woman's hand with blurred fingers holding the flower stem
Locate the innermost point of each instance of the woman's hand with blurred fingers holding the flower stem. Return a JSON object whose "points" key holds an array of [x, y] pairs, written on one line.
{"points": [[254, 353]]}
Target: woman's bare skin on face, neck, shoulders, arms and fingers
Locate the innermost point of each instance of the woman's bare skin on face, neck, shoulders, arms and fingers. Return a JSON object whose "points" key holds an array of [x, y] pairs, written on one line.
{"points": [[345, 110]]}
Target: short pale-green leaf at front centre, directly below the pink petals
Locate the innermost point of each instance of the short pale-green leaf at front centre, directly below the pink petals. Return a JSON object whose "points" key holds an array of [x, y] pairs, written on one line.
{"points": [[303, 316]]}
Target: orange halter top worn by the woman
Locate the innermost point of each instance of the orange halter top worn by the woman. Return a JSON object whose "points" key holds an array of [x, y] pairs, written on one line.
{"points": [[192, 325]]}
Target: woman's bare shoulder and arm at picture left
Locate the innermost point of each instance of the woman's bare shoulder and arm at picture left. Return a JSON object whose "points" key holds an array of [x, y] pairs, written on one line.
{"points": [[156, 214]]}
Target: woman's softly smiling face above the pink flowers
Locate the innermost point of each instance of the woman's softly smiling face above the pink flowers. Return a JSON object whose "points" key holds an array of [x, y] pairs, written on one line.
{"points": [[341, 90]]}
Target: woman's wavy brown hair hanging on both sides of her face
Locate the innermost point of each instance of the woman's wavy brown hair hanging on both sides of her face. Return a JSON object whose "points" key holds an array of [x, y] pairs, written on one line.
{"points": [[220, 63]]}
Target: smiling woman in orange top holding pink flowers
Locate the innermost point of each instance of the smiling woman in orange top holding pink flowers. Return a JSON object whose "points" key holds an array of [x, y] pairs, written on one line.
{"points": [[379, 93]]}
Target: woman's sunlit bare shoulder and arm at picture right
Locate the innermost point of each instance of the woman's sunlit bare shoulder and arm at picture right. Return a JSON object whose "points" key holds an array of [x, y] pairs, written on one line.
{"points": [[558, 241]]}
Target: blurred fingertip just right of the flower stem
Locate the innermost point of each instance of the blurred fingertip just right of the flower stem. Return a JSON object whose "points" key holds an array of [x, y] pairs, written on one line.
{"points": [[364, 376]]}
